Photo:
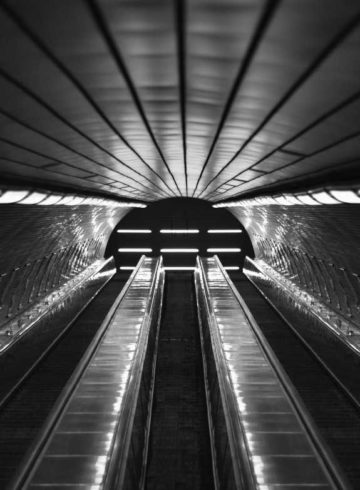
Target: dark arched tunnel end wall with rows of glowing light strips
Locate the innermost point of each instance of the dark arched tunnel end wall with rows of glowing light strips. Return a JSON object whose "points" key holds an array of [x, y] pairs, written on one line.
{"points": [[179, 214]]}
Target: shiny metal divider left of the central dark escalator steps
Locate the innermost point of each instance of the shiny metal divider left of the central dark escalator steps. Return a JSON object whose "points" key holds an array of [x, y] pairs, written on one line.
{"points": [[94, 426]]}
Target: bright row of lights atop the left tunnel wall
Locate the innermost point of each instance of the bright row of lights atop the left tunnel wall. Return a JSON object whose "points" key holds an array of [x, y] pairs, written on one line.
{"points": [[50, 198]]}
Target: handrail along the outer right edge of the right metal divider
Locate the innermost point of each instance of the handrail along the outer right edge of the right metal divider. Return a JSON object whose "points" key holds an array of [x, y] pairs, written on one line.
{"points": [[325, 458]]}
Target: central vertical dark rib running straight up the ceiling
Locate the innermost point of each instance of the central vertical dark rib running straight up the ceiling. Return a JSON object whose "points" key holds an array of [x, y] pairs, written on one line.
{"points": [[180, 19]]}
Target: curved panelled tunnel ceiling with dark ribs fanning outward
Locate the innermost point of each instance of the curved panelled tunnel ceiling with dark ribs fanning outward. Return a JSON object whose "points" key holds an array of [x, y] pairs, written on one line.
{"points": [[155, 99]]}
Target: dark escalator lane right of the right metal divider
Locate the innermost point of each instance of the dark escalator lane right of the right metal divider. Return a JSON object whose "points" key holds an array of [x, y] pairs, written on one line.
{"points": [[334, 412]]}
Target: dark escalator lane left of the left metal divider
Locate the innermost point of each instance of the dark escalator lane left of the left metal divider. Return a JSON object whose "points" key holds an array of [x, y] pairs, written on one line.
{"points": [[24, 412]]}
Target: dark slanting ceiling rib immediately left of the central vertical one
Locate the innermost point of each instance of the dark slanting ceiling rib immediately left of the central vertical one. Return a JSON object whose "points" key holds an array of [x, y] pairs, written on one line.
{"points": [[103, 27]]}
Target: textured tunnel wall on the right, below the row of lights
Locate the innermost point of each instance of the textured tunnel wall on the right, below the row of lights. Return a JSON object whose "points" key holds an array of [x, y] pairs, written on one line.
{"points": [[316, 247]]}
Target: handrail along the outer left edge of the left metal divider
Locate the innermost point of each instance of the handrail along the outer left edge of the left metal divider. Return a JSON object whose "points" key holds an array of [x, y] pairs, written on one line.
{"points": [[37, 449]]}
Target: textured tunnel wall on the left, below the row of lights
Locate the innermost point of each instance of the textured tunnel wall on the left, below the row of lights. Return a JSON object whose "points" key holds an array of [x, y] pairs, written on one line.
{"points": [[42, 247]]}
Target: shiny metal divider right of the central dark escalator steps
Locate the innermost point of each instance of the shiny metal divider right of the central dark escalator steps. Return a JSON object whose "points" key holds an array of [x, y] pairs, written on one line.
{"points": [[271, 447]]}
